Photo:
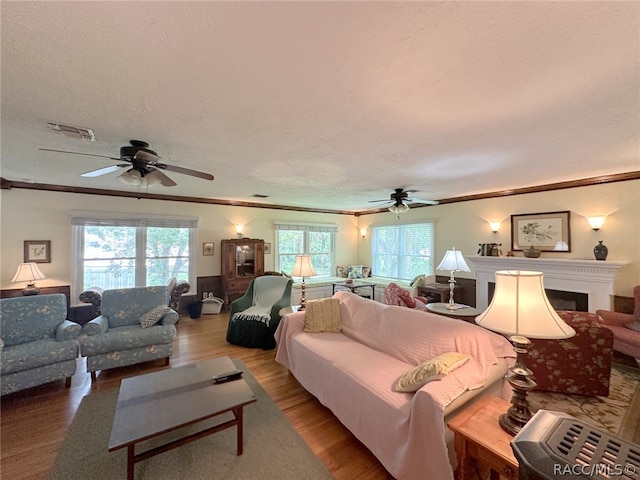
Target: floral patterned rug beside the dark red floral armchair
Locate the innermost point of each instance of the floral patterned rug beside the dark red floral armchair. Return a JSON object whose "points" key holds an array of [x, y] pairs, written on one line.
{"points": [[619, 413]]}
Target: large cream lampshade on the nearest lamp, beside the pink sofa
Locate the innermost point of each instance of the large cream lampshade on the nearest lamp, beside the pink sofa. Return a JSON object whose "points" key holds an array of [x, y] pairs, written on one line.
{"points": [[520, 306]]}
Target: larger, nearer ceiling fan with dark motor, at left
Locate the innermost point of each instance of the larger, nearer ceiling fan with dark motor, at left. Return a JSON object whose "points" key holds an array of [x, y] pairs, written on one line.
{"points": [[144, 169]]}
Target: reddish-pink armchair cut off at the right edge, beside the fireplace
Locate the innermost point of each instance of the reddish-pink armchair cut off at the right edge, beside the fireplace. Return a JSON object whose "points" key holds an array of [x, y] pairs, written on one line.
{"points": [[625, 328]]}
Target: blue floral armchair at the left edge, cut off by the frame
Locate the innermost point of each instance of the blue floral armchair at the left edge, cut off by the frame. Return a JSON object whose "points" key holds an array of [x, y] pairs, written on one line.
{"points": [[37, 344]]}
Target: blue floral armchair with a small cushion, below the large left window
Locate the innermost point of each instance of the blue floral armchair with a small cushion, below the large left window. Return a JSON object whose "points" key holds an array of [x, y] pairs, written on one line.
{"points": [[135, 326]]}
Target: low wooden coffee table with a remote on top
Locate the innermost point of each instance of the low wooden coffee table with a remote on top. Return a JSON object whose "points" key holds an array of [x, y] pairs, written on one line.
{"points": [[157, 403]]}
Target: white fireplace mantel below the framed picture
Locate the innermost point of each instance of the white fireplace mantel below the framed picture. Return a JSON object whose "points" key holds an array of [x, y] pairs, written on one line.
{"points": [[594, 277]]}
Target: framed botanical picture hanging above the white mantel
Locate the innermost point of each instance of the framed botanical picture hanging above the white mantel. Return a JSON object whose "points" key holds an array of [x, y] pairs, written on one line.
{"points": [[547, 232]]}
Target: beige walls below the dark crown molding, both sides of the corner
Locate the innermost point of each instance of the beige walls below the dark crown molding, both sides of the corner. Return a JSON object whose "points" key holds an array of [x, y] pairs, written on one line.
{"points": [[36, 215]]}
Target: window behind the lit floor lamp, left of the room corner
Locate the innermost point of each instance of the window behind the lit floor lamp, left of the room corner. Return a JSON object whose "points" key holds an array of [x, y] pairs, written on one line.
{"points": [[316, 240]]}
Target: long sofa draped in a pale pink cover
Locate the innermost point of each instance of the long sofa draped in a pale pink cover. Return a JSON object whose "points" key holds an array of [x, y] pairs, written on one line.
{"points": [[352, 373]]}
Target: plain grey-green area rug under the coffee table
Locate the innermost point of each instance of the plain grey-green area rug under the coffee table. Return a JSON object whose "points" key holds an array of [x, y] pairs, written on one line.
{"points": [[272, 447]]}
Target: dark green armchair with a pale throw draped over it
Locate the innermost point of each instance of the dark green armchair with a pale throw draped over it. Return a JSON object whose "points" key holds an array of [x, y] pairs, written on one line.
{"points": [[254, 317]]}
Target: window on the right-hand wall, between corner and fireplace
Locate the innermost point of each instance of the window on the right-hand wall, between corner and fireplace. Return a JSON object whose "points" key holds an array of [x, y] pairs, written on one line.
{"points": [[403, 251]]}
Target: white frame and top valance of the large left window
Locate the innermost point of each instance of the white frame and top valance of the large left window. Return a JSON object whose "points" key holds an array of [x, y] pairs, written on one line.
{"points": [[81, 219]]}
